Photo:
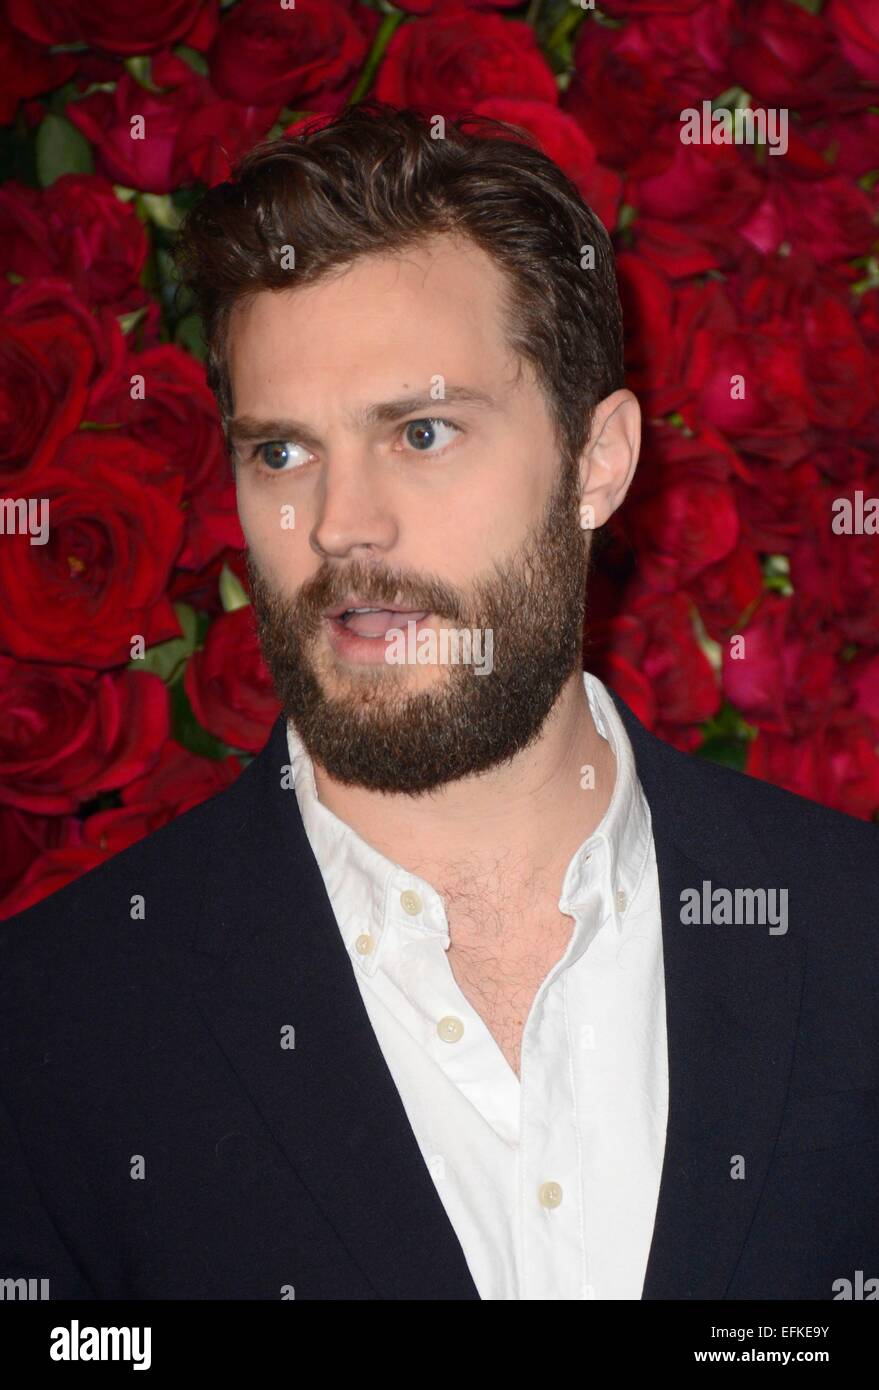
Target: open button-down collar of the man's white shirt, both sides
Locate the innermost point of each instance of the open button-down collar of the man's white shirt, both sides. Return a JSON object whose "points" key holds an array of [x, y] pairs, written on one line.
{"points": [[369, 892]]}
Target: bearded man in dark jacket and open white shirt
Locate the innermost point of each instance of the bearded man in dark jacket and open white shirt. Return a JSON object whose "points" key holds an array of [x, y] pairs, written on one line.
{"points": [[471, 988]]}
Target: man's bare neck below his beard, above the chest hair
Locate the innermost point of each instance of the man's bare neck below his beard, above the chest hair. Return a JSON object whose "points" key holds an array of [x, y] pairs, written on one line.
{"points": [[531, 811]]}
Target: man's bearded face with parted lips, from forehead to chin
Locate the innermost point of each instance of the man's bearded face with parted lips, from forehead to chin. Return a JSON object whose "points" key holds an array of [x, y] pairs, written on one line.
{"points": [[457, 509]]}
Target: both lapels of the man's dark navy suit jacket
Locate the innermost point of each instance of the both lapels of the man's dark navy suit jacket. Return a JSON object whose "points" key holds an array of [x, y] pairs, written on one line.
{"points": [[268, 956]]}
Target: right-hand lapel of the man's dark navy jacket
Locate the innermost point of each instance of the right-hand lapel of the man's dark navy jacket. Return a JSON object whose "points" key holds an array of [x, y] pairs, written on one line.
{"points": [[732, 1007]]}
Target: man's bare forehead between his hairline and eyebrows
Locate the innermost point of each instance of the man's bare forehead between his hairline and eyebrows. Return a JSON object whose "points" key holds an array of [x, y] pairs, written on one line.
{"points": [[432, 309]]}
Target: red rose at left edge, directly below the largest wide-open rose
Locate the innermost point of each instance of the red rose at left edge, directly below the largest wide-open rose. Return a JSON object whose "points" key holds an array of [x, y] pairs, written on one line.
{"points": [[67, 736]]}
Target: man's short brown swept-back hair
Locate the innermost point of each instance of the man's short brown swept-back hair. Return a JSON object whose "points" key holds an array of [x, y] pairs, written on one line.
{"points": [[376, 180]]}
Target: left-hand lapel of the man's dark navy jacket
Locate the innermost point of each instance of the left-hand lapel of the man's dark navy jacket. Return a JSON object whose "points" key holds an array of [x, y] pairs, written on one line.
{"points": [[268, 956]]}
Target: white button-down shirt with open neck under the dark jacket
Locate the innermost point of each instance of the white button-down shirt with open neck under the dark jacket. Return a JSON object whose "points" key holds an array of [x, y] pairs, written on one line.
{"points": [[549, 1179]]}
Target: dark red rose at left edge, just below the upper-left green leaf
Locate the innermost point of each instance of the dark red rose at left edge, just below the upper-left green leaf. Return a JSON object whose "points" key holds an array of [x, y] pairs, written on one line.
{"points": [[77, 229]]}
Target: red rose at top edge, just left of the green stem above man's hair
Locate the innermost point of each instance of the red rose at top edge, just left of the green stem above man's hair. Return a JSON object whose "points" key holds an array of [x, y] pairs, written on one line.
{"points": [[268, 55]]}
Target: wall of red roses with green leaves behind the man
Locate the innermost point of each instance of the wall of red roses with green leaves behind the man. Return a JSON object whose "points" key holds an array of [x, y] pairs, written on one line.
{"points": [[725, 610]]}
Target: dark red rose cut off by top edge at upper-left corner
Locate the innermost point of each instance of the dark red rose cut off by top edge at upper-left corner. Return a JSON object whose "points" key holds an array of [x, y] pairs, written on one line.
{"points": [[115, 24]]}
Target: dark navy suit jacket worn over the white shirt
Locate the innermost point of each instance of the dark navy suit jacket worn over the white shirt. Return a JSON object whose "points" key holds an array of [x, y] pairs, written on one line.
{"points": [[155, 1047]]}
